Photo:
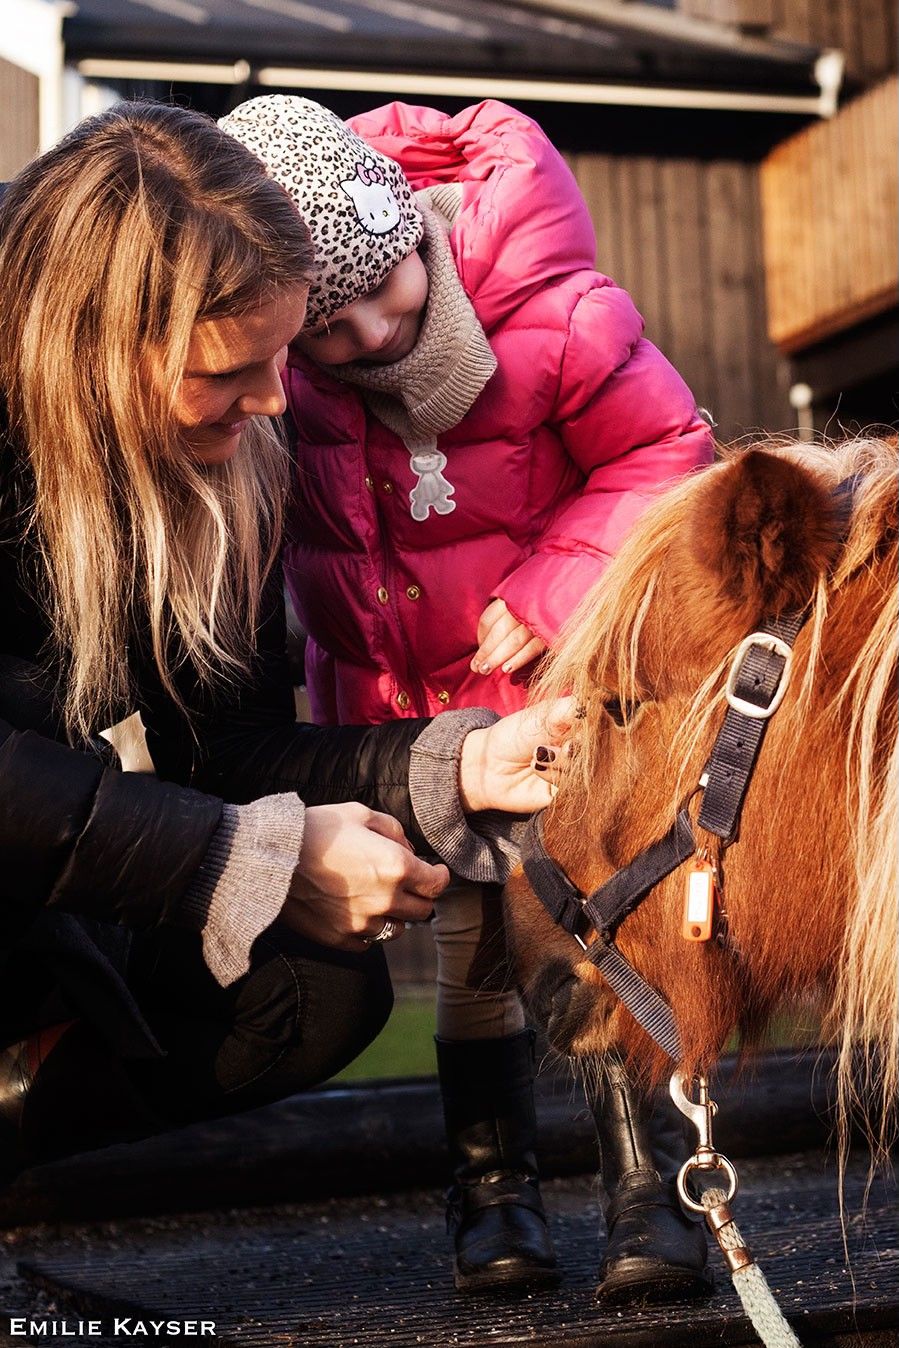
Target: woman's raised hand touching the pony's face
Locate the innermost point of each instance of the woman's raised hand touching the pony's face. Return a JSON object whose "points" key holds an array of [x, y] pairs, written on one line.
{"points": [[498, 765]]}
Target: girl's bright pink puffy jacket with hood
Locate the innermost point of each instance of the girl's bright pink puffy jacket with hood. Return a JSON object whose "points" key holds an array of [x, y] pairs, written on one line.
{"points": [[560, 454]]}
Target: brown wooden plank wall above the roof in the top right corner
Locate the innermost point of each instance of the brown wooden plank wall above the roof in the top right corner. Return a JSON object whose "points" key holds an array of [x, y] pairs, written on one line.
{"points": [[865, 30]]}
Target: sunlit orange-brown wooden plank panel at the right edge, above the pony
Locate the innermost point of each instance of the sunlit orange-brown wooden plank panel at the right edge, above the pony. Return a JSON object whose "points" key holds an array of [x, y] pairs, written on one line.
{"points": [[831, 212]]}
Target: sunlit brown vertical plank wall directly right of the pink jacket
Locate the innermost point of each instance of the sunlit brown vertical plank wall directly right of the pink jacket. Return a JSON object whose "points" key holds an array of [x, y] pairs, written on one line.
{"points": [[684, 238]]}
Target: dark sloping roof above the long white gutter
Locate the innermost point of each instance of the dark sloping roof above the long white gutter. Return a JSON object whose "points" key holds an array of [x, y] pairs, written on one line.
{"points": [[448, 37]]}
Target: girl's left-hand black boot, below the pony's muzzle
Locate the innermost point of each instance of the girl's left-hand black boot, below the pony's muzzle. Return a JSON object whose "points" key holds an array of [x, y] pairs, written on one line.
{"points": [[494, 1208]]}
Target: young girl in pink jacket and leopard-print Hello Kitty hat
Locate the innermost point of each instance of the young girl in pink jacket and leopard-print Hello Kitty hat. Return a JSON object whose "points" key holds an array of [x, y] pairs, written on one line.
{"points": [[479, 421]]}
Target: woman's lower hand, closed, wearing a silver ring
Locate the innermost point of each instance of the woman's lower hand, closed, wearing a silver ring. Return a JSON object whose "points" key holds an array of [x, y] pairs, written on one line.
{"points": [[356, 870]]}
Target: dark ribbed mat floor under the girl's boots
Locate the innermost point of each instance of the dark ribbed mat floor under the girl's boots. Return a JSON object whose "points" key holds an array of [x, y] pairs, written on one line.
{"points": [[375, 1272]]}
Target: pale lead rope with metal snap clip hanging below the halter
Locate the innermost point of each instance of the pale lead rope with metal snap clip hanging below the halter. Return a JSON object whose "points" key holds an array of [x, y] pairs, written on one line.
{"points": [[750, 1283]]}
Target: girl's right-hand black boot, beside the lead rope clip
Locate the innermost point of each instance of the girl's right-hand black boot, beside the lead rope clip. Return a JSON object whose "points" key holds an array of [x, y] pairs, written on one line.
{"points": [[656, 1253]]}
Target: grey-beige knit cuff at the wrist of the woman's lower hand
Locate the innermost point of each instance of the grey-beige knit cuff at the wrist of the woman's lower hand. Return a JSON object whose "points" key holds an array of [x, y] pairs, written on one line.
{"points": [[243, 882]]}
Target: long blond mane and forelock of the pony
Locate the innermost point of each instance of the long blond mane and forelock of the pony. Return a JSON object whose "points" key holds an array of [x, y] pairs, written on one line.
{"points": [[602, 642]]}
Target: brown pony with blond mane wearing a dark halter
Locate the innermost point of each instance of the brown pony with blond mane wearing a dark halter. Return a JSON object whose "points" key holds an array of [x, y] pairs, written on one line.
{"points": [[811, 885]]}
